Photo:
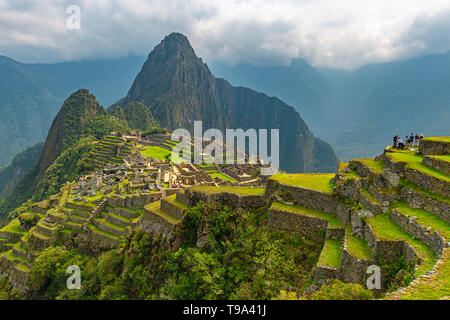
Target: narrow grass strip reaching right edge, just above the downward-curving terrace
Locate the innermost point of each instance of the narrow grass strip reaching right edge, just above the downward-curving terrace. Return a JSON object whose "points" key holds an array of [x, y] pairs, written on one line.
{"points": [[425, 218]]}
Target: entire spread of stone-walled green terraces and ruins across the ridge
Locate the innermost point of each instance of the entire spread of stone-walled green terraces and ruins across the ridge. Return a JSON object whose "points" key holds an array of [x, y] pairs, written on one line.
{"points": [[379, 211]]}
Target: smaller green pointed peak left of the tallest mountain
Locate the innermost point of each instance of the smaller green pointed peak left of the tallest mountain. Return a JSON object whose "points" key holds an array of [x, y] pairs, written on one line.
{"points": [[80, 121]]}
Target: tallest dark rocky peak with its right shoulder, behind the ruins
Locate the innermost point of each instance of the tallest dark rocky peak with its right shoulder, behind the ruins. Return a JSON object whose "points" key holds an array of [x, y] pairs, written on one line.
{"points": [[179, 89]]}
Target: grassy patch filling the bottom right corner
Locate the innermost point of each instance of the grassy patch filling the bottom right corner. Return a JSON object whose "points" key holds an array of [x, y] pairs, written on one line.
{"points": [[433, 287]]}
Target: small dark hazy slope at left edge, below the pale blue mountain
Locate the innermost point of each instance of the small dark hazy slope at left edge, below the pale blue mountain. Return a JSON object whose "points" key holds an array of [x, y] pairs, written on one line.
{"points": [[19, 166]]}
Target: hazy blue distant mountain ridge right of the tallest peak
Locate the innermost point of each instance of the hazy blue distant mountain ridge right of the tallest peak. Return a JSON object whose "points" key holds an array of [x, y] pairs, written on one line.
{"points": [[359, 112]]}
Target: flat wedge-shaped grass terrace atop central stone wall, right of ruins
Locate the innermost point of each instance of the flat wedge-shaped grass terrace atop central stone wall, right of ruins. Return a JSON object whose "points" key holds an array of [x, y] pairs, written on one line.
{"points": [[316, 181]]}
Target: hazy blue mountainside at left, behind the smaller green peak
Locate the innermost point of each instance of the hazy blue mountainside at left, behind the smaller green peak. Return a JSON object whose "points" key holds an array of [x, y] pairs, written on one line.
{"points": [[31, 94]]}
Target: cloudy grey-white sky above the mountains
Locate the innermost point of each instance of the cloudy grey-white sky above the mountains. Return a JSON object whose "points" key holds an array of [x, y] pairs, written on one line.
{"points": [[340, 34]]}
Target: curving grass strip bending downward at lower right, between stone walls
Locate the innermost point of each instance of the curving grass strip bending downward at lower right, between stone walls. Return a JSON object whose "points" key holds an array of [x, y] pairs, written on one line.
{"points": [[385, 229]]}
